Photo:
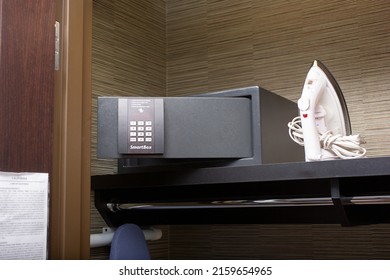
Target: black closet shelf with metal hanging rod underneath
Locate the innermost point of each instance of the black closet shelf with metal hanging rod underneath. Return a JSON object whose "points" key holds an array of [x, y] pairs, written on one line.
{"points": [[347, 192]]}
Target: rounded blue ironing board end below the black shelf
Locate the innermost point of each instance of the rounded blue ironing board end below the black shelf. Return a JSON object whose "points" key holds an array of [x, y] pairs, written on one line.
{"points": [[129, 243]]}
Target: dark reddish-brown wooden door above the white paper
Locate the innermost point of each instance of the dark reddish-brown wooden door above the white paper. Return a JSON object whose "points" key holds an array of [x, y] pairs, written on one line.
{"points": [[26, 85]]}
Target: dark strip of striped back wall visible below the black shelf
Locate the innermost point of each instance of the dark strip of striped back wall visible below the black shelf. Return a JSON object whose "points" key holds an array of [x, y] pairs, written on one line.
{"points": [[279, 242]]}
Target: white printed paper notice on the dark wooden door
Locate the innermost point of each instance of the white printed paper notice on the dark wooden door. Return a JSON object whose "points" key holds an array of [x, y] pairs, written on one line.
{"points": [[23, 216]]}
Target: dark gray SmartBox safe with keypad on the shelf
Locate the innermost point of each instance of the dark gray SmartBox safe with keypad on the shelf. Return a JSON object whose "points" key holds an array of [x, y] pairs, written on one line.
{"points": [[242, 126]]}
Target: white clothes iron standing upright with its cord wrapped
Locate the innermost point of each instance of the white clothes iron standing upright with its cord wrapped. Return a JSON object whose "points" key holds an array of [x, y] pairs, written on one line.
{"points": [[323, 127]]}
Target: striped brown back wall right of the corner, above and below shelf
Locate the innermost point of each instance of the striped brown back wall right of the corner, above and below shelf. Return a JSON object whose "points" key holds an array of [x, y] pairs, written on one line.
{"points": [[213, 45]]}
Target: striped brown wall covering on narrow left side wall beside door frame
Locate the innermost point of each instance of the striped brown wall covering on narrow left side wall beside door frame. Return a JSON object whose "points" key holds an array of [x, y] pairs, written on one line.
{"points": [[128, 59]]}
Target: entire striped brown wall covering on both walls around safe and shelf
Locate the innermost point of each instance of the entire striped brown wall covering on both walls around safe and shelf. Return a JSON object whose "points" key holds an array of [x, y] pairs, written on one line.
{"points": [[181, 47]]}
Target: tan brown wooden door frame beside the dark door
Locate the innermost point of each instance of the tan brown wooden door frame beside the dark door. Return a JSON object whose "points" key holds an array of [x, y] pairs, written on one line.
{"points": [[70, 192]]}
